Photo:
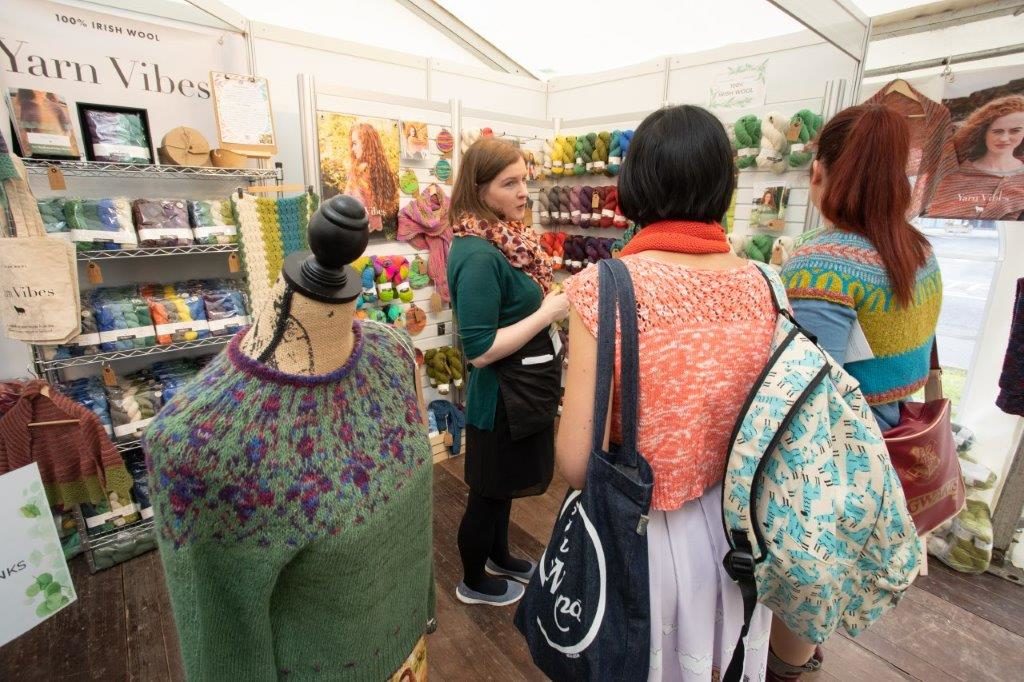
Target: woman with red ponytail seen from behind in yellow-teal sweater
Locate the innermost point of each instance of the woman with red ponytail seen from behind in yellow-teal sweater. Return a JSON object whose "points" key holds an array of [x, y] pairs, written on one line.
{"points": [[869, 287]]}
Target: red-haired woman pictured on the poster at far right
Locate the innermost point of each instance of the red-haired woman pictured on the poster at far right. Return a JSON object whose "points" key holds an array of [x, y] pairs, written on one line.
{"points": [[990, 183]]}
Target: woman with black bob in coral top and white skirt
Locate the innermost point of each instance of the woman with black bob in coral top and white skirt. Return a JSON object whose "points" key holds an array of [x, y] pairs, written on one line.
{"points": [[706, 322]]}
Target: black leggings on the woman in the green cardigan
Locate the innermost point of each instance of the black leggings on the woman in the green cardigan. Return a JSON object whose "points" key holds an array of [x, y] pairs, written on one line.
{"points": [[484, 534]]}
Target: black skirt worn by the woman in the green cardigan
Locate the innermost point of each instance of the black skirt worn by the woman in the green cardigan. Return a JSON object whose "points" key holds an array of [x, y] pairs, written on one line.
{"points": [[501, 468]]}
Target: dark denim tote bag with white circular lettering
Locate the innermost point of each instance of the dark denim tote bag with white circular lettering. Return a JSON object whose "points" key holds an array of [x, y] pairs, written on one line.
{"points": [[586, 614]]}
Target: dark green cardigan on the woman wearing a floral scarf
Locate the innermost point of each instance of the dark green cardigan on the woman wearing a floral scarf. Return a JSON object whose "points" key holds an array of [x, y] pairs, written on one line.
{"points": [[487, 295]]}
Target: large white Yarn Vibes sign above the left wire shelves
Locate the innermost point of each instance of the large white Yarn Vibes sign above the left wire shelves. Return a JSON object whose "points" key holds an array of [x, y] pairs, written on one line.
{"points": [[91, 57]]}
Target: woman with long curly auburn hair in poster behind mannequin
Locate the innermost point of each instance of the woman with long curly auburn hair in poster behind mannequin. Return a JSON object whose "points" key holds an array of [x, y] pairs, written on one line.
{"points": [[371, 179]]}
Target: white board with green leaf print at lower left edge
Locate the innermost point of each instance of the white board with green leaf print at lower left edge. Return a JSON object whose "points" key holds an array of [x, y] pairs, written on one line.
{"points": [[34, 579]]}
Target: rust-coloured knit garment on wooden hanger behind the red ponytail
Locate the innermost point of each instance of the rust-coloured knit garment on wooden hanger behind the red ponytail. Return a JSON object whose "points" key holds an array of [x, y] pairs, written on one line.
{"points": [[932, 152]]}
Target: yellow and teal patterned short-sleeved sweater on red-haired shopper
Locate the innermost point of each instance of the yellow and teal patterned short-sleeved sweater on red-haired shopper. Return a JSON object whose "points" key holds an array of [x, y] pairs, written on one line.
{"points": [[845, 269]]}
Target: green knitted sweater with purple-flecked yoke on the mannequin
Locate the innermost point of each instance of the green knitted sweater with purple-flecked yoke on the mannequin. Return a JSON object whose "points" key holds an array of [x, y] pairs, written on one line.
{"points": [[293, 516]]}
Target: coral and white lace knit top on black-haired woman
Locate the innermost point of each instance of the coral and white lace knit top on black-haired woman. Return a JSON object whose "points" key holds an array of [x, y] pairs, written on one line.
{"points": [[705, 337]]}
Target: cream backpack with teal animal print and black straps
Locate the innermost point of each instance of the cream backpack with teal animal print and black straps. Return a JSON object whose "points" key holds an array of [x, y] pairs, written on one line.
{"points": [[818, 525]]}
